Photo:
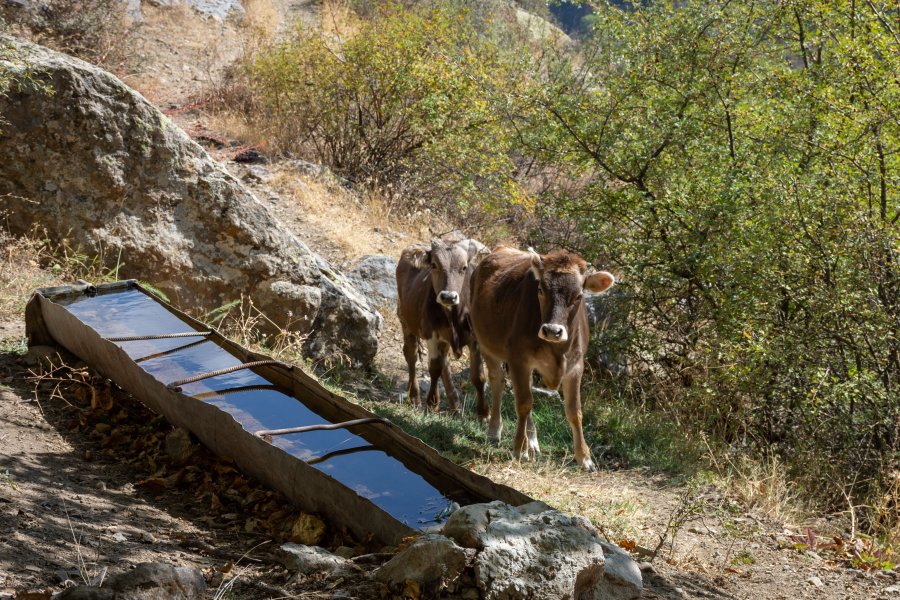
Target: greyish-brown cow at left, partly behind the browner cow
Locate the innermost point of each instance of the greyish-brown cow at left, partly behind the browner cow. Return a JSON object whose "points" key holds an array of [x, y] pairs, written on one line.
{"points": [[433, 293]]}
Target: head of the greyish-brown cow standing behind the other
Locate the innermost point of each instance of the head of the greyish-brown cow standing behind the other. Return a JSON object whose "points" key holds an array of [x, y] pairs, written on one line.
{"points": [[450, 264]]}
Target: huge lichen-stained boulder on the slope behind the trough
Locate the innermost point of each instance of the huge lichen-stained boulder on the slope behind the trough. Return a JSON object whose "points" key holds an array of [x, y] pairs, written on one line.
{"points": [[90, 161]]}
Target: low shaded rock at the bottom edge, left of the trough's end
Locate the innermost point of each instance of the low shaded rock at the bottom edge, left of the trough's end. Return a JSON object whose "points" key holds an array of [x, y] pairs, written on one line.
{"points": [[147, 581]]}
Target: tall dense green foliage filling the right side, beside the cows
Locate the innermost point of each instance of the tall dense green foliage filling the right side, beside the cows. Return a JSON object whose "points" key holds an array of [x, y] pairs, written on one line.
{"points": [[740, 168]]}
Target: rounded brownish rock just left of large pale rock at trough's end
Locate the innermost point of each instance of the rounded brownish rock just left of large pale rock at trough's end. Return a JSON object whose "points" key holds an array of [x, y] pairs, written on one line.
{"points": [[430, 558]]}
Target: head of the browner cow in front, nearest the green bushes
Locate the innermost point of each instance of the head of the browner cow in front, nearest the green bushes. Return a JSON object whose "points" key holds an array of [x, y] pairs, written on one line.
{"points": [[562, 278]]}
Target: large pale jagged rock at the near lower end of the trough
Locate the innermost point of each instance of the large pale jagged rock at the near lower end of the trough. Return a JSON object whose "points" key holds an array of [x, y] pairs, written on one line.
{"points": [[533, 551]]}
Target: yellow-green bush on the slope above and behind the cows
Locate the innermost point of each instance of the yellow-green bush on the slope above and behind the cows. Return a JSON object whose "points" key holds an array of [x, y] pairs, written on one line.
{"points": [[399, 104]]}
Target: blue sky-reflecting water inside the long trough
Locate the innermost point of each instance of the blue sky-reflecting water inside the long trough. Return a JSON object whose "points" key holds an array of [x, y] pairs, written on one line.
{"points": [[258, 404]]}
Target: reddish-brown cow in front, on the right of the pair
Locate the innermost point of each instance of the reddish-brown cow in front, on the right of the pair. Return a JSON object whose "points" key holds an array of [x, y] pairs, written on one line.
{"points": [[528, 311]]}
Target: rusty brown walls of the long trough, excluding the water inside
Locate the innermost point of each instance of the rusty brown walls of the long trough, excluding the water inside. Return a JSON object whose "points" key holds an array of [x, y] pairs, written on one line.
{"points": [[48, 323]]}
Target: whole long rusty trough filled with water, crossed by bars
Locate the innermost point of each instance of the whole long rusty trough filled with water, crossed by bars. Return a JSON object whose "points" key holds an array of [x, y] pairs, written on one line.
{"points": [[328, 455]]}
